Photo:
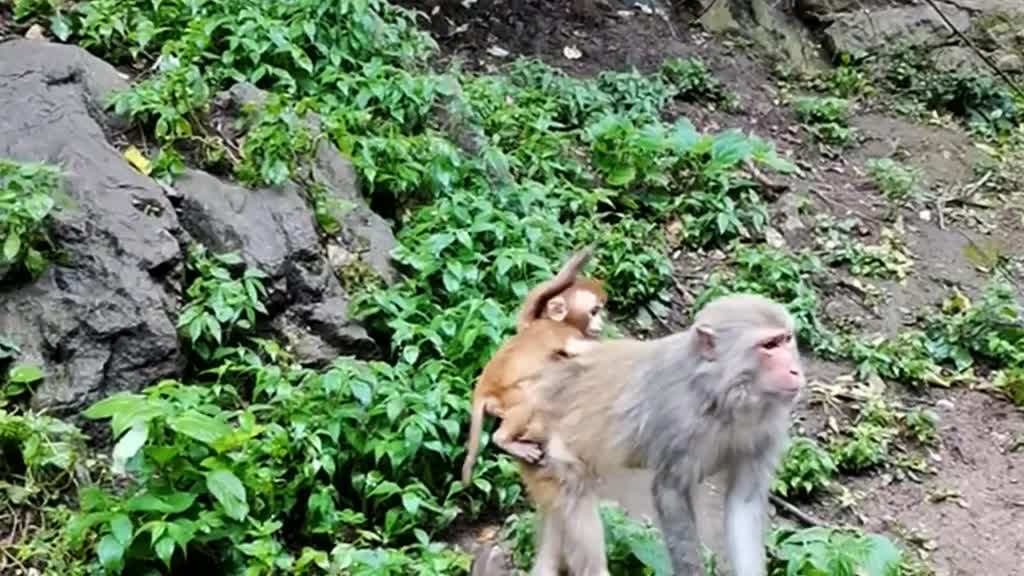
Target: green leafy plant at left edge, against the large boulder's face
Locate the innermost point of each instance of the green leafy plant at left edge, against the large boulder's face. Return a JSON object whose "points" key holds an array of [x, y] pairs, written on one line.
{"points": [[28, 201]]}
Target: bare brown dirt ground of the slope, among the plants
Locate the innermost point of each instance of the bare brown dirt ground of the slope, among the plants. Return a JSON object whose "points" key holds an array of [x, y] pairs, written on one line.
{"points": [[968, 517]]}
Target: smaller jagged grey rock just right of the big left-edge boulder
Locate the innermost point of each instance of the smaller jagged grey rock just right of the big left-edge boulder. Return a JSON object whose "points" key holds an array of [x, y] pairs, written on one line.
{"points": [[273, 229]]}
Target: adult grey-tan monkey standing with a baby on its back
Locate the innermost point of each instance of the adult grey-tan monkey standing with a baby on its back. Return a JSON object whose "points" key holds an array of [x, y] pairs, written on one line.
{"points": [[716, 397]]}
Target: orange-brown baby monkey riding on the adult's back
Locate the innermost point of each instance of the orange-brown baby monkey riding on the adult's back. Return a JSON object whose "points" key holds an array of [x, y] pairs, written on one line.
{"points": [[558, 319]]}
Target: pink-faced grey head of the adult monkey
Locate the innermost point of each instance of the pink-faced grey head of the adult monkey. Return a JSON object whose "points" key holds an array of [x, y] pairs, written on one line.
{"points": [[751, 342]]}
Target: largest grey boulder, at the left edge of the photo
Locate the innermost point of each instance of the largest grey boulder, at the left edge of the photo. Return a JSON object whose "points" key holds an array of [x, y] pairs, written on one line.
{"points": [[103, 320]]}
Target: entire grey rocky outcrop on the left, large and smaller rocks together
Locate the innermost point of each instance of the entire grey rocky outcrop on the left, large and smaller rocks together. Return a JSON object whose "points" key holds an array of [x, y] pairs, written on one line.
{"points": [[103, 319]]}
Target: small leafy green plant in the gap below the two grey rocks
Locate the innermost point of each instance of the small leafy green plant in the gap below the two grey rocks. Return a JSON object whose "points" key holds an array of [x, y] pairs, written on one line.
{"points": [[219, 304]]}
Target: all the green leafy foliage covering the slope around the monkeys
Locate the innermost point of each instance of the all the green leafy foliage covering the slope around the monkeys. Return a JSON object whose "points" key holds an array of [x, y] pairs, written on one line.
{"points": [[253, 465]]}
